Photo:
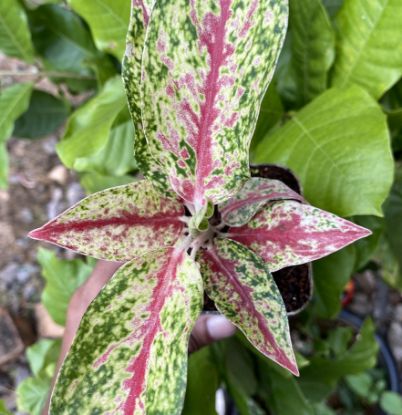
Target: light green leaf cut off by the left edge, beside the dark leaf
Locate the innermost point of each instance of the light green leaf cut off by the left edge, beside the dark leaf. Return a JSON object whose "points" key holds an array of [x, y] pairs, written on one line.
{"points": [[14, 101]]}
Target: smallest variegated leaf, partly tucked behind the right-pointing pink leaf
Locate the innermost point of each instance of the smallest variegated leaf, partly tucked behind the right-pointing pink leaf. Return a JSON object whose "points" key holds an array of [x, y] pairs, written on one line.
{"points": [[255, 193]]}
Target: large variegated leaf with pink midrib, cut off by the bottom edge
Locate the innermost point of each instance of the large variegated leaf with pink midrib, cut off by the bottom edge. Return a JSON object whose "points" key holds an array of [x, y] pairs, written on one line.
{"points": [[130, 353]]}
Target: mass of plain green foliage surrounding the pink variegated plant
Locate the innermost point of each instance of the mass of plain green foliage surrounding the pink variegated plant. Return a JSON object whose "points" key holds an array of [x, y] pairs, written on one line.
{"points": [[333, 114]]}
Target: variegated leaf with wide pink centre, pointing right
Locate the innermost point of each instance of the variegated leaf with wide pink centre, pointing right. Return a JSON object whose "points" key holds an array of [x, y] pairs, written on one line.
{"points": [[289, 233]]}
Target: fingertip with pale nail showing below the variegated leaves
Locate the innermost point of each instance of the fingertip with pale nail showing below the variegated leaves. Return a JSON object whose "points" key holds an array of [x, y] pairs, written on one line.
{"points": [[210, 328]]}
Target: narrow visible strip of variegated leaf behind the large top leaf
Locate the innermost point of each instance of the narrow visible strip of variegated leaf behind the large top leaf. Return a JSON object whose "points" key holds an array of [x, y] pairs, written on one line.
{"points": [[140, 15]]}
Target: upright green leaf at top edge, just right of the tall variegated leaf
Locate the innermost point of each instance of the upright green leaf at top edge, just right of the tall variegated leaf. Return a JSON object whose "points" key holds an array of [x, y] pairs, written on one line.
{"points": [[313, 47]]}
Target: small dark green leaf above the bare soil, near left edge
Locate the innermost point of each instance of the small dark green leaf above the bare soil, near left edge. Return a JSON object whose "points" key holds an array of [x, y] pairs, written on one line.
{"points": [[45, 114]]}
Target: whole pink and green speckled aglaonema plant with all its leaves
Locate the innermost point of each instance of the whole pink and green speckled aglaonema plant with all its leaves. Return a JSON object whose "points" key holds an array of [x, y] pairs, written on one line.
{"points": [[195, 74]]}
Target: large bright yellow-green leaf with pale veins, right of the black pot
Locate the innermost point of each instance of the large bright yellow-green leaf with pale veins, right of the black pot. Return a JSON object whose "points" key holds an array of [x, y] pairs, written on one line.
{"points": [[333, 145]]}
